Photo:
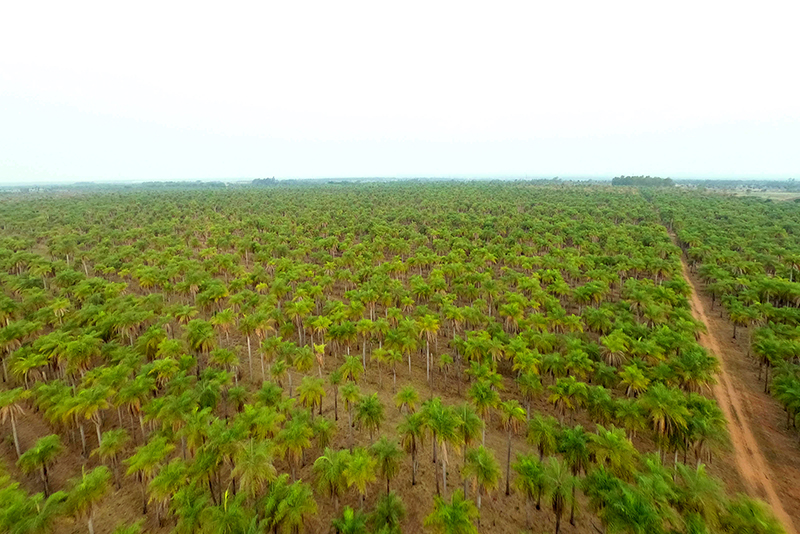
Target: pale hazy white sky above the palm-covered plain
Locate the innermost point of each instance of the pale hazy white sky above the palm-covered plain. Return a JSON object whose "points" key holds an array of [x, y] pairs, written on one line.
{"points": [[200, 90]]}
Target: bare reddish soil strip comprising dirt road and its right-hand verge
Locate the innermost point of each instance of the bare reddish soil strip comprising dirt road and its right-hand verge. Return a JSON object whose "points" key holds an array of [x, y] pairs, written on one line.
{"points": [[743, 415]]}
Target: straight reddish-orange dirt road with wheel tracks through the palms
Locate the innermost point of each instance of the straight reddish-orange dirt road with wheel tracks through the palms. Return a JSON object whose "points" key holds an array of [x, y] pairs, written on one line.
{"points": [[750, 460]]}
